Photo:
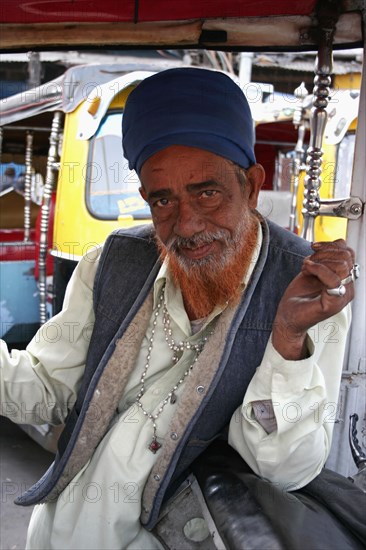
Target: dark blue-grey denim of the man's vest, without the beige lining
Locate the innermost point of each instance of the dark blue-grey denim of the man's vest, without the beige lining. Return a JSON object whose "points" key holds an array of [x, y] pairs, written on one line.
{"points": [[126, 273]]}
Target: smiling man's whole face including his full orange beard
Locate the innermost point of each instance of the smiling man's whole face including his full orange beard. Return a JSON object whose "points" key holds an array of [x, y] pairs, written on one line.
{"points": [[204, 223]]}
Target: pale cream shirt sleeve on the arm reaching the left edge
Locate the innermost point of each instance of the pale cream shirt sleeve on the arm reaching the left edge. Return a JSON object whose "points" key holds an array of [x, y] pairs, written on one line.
{"points": [[39, 385]]}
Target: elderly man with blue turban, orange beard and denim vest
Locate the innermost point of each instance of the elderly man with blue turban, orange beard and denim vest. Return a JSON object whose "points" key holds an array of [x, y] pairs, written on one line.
{"points": [[202, 322]]}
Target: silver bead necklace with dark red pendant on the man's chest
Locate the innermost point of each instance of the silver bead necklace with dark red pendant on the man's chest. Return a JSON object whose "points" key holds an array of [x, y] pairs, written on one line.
{"points": [[154, 445]]}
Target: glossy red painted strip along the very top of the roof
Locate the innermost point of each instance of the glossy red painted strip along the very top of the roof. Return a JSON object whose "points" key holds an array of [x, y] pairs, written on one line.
{"points": [[89, 11]]}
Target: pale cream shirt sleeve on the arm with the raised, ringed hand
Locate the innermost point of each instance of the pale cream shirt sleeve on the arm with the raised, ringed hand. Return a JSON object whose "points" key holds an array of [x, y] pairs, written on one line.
{"points": [[303, 396]]}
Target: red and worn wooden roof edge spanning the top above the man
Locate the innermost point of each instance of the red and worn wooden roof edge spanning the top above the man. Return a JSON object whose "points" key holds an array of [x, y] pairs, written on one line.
{"points": [[218, 24]]}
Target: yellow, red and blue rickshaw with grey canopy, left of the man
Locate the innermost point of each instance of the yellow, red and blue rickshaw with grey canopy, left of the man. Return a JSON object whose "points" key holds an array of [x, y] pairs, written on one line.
{"points": [[74, 141]]}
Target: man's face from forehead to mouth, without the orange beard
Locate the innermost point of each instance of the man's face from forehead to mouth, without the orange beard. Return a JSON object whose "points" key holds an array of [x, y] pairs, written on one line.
{"points": [[194, 192]]}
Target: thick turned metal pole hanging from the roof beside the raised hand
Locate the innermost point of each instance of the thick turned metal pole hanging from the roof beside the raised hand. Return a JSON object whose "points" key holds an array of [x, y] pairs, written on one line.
{"points": [[327, 18]]}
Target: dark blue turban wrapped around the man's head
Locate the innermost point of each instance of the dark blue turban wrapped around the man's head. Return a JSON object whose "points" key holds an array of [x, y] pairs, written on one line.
{"points": [[189, 106]]}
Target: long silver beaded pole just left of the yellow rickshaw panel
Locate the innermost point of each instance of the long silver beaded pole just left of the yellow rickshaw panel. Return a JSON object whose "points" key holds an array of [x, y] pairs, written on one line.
{"points": [[52, 167]]}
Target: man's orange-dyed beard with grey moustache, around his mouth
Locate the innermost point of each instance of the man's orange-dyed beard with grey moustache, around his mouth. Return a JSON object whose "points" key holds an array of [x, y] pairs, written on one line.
{"points": [[212, 281]]}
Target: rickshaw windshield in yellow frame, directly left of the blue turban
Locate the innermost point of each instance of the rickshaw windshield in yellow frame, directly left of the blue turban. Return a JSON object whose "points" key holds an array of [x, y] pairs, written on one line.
{"points": [[111, 187]]}
